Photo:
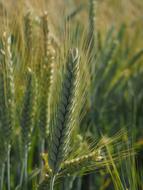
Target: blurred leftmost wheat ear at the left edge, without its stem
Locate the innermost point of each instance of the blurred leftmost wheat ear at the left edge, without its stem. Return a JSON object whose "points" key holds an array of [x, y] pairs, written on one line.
{"points": [[6, 88]]}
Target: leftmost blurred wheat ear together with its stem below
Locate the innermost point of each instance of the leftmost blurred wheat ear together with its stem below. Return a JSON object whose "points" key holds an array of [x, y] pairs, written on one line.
{"points": [[7, 101]]}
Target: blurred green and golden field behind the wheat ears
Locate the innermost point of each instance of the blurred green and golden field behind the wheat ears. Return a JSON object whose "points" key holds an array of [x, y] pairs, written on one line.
{"points": [[114, 79]]}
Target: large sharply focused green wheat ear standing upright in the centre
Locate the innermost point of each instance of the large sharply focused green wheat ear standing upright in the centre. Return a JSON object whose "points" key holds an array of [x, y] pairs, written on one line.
{"points": [[60, 132]]}
